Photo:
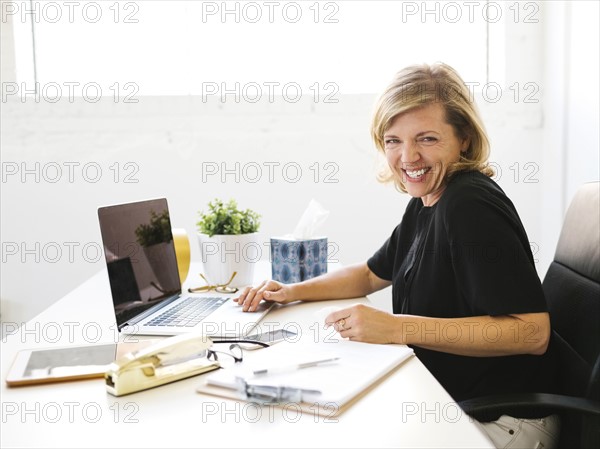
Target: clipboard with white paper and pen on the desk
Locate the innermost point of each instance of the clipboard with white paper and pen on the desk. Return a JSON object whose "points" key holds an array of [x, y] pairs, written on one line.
{"points": [[326, 389]]}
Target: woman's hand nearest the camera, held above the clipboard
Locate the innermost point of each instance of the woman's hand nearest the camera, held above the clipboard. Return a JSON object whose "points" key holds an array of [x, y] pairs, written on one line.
{"points": [[364, 323]]}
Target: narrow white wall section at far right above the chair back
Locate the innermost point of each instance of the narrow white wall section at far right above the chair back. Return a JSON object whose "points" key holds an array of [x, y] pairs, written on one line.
{"points": [[570, 146]]}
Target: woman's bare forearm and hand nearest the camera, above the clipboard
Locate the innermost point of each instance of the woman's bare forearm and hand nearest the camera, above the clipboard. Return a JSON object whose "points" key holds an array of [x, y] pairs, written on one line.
{"points": [[481, 336]]}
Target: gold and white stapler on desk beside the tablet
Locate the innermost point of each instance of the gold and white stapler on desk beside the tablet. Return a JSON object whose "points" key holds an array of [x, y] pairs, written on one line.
{"points": [[171, 359]]}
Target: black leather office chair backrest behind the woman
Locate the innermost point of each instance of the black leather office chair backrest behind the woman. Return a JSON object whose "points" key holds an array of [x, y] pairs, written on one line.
{"points": [[572, 289]]}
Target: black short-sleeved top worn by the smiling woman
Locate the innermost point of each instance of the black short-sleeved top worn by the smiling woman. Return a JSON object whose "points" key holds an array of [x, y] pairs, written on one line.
{"points": [[467, 255]]}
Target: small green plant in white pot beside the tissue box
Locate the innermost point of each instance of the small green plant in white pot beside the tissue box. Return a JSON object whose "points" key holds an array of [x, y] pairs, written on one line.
{"points": [[228, 239]]}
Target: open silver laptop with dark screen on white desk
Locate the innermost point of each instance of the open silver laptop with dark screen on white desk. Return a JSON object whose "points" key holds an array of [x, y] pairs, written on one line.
{"points": [[144, 279]]}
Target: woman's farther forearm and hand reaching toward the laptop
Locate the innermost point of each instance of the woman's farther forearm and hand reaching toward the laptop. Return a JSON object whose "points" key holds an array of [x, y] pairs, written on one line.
{"points": [[348, 282]]}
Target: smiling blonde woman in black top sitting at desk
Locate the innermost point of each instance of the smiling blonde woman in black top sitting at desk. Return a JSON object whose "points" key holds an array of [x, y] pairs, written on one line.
{"points": [[466, 295]]}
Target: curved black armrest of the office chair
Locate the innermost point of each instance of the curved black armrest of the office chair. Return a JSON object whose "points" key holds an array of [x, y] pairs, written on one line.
{"points": [[539, 403]]}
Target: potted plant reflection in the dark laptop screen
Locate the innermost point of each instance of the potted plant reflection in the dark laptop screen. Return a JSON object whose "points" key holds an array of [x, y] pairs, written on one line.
{"points": [[154, 237]]}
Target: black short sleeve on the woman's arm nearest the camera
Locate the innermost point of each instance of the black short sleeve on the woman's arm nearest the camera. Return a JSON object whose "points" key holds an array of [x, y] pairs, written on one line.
{"points": [[491, 256]]}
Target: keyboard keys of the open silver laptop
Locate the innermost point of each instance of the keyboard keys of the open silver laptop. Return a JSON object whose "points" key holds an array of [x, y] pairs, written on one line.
{"points": [[188, 313]]}
